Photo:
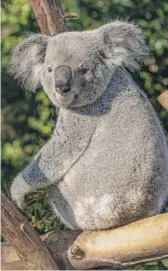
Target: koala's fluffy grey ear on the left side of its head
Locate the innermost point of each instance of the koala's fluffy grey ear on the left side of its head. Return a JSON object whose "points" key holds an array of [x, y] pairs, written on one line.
{"points": [[27, 59]]}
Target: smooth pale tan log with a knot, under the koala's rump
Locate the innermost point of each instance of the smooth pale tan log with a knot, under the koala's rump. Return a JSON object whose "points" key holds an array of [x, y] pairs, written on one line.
{"points": [[142, 241]]}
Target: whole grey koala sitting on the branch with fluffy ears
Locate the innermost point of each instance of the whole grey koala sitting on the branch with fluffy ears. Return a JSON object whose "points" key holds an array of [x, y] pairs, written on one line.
{"points": [[106, 163]]}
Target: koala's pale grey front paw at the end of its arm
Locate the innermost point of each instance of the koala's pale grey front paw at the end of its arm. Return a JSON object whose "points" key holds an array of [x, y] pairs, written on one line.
{"points": [[18, 191]]}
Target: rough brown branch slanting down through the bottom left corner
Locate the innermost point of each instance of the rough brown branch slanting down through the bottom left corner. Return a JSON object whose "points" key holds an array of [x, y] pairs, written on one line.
{"points": [[20, 234]]}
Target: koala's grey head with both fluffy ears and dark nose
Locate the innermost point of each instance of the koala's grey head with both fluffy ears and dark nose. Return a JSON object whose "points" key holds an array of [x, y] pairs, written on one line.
{"points": [[75, 68]]}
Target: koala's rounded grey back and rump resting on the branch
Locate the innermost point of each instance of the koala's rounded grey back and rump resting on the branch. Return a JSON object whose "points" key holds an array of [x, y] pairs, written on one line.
{"points": [[123, 175]]}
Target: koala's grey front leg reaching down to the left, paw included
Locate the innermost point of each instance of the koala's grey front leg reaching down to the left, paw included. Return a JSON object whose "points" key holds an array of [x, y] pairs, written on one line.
{"points": [[51, 163]]}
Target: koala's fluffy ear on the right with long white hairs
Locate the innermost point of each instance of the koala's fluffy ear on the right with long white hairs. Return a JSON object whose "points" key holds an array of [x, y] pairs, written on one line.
{"points": [[123, 44]]}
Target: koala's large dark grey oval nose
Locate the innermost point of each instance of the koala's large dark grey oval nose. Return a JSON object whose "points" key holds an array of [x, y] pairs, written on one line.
{"points": [[63, 78]]}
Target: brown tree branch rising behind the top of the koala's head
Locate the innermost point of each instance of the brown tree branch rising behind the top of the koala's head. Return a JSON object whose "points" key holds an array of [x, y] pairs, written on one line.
{"points": [[49, 15]]}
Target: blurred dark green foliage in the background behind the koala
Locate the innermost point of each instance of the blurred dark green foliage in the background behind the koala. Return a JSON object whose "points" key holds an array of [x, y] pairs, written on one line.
{"points": [[27, 117]]}
